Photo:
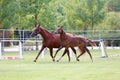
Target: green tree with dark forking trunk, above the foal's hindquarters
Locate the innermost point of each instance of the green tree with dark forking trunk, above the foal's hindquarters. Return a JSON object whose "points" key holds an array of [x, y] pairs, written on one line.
{"points": [[92, 13]]}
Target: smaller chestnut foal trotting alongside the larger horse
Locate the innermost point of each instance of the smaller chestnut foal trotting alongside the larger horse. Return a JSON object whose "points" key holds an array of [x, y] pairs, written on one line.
{"points": [[68, 41]]}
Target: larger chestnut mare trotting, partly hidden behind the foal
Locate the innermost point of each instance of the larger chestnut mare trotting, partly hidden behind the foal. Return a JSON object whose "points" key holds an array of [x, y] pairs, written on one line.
{"points": [[50, 41]]}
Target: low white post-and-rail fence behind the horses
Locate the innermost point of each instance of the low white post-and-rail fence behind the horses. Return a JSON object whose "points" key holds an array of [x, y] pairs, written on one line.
{"points": [[20, 53]]}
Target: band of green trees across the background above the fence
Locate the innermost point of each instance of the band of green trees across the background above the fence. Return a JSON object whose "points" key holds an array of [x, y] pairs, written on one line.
{"points": [[73, 14]]}
